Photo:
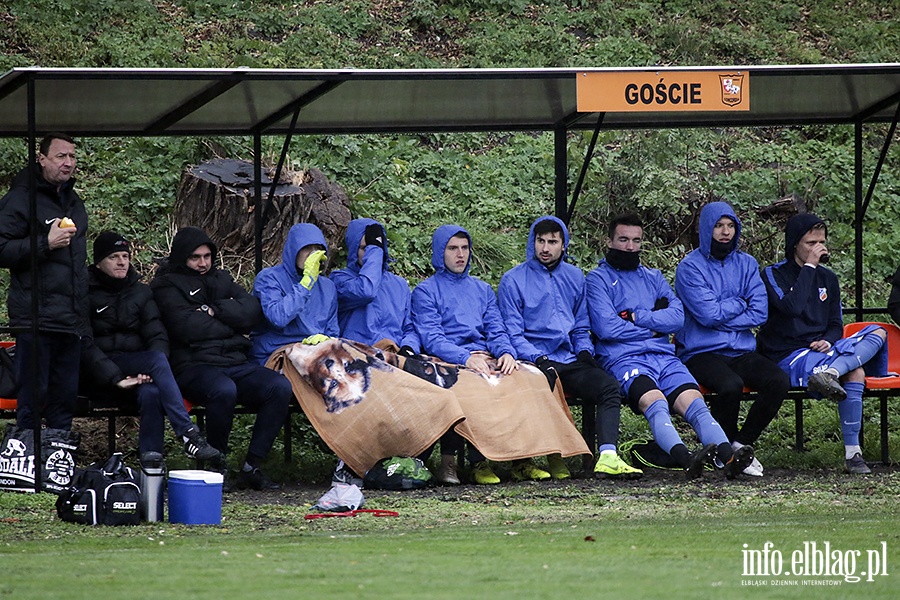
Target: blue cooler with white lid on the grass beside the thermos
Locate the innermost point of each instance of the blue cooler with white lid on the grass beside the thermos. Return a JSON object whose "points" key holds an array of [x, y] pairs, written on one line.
{"points": [[195, 497]]}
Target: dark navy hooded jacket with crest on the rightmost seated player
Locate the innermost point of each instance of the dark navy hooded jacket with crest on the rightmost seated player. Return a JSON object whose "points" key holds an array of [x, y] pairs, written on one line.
{"points": [[804, 301]]}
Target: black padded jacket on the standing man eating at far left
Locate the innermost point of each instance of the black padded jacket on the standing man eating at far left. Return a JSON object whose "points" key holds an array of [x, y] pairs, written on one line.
{"points": [[62, 275]]}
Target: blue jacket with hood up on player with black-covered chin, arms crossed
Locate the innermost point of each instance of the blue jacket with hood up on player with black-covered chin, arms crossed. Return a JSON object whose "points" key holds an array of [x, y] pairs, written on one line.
{"points": [[723, 299]]}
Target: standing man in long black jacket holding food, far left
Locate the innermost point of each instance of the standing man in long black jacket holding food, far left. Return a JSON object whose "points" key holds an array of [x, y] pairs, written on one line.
{"points": [[60, 278]]}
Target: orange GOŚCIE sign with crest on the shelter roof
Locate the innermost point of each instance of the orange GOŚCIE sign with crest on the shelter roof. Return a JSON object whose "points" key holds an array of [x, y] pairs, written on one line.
{"points": [[663, 91]]}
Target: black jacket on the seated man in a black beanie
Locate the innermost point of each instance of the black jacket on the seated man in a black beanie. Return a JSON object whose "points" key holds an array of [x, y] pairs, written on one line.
{"points": [[124, 318]]}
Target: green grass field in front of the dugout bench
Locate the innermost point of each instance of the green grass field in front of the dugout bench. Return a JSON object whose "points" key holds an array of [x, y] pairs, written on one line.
{"points": [[660, 537]]}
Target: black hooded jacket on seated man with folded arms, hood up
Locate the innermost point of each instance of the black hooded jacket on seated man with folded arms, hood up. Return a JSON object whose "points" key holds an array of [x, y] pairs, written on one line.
{"points": [[180, 292]]}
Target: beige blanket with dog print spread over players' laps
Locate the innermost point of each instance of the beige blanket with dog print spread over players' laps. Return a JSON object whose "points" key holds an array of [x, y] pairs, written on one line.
{"points": [[368, 404]]}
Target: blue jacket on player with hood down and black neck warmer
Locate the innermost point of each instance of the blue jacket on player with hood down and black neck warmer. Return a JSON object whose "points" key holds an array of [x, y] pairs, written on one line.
{"points": [[610, 291]]}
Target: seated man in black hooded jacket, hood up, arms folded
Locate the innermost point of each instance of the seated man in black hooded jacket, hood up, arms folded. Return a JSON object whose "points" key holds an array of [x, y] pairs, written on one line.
{"points": [[208, 316]]}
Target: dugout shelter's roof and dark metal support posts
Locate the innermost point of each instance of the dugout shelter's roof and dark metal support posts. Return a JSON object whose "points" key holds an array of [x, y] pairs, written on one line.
{"points": [[86, 102]]}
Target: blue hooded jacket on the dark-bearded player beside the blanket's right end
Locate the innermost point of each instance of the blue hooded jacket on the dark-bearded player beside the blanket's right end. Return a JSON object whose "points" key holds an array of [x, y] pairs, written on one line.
{"points": [[545, 310]]}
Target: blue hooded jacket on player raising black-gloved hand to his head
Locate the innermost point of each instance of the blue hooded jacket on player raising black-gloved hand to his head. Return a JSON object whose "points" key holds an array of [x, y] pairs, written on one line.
{"points": [[373, 303]]}
